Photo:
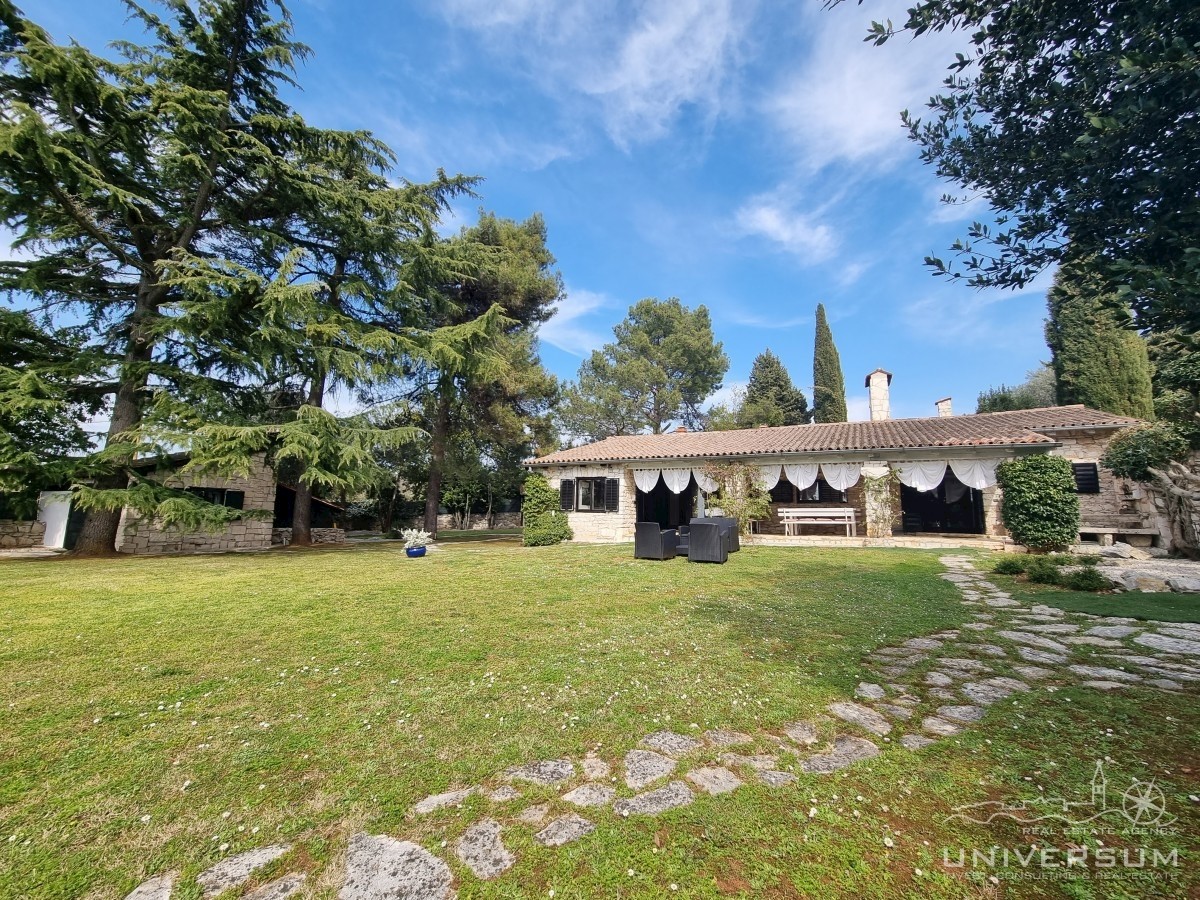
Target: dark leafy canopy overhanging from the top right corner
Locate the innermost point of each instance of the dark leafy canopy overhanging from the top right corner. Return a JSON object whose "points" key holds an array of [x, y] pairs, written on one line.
{"points": [[1076, 123]]}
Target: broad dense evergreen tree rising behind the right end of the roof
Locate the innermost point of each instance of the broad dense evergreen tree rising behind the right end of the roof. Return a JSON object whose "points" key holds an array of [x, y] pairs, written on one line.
{"points": [[1099, 359]]}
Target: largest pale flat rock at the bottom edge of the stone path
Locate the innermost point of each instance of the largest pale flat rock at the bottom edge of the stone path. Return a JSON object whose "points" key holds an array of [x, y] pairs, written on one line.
{"points": [[382, 868]]}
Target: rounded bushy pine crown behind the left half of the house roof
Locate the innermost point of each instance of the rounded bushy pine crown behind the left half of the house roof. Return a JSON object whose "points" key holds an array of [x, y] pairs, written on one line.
{"points": [[661, 369]]}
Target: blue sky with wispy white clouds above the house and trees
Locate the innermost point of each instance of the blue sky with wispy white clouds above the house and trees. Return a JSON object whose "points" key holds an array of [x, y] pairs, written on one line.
{"points": [[742, 155]]}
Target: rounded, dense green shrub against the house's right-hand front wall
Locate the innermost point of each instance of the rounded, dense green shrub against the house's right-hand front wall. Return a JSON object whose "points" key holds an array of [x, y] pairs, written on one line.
{"points": [[1040, 505]]}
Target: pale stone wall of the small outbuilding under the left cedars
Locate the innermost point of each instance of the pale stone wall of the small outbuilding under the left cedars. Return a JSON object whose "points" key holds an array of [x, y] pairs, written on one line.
{"points": [[140, 536]]}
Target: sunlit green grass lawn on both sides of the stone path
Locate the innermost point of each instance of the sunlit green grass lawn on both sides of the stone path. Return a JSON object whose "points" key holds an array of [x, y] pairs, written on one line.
{"points": [[157, 710]]}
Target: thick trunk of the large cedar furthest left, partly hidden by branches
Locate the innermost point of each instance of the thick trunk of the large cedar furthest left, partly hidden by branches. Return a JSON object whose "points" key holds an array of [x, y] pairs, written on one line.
{"points": [[99, 533]]}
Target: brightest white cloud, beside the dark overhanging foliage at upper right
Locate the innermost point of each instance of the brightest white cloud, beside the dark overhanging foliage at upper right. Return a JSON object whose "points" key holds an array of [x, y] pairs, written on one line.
{"points": [[843, 104]]}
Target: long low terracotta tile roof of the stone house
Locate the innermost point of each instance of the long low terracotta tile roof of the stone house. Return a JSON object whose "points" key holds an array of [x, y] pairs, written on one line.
{"points": [[1018, 428]]}
